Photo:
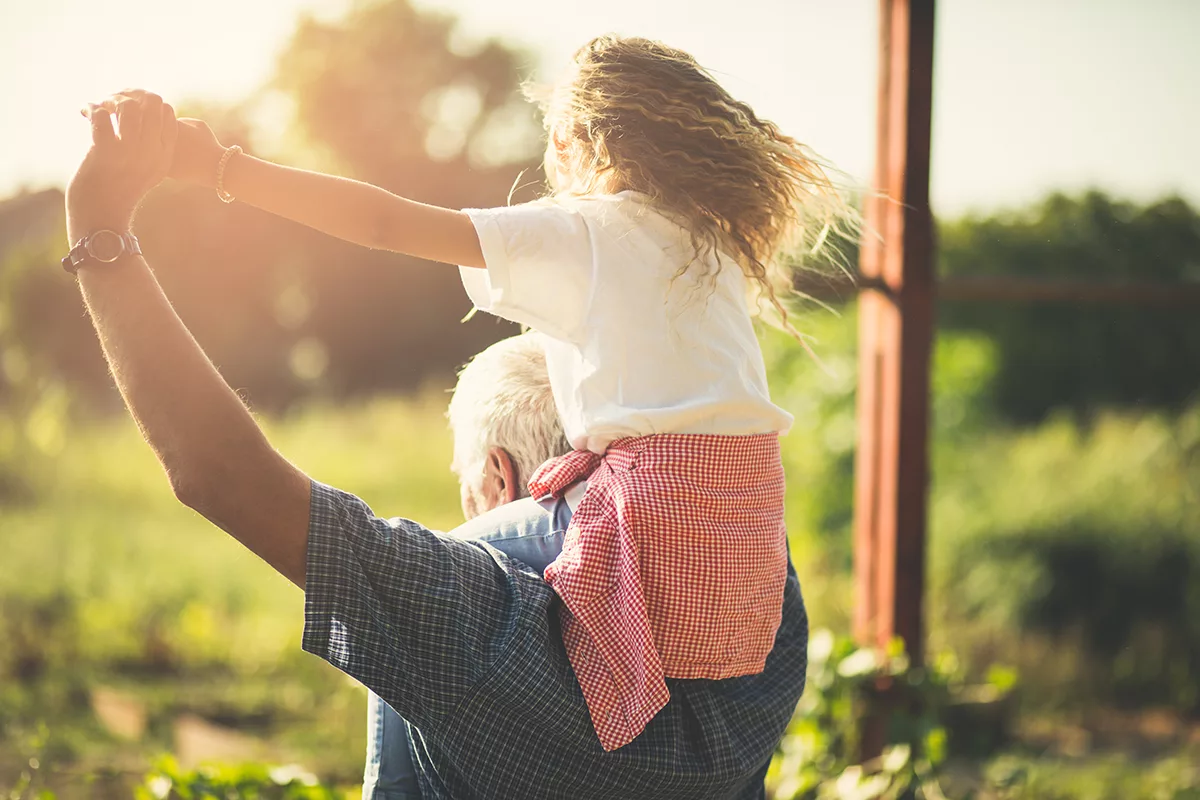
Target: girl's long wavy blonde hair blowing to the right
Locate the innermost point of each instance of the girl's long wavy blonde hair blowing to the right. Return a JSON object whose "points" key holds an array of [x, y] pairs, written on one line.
{"points": [[635, 115]]}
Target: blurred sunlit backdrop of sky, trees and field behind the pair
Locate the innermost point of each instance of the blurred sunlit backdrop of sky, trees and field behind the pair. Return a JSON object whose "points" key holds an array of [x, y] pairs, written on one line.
{"points": [[1064, 605]]}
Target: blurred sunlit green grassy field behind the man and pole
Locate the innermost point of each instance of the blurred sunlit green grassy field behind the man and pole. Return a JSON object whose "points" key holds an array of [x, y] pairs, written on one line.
{"points": [[134, 629]]}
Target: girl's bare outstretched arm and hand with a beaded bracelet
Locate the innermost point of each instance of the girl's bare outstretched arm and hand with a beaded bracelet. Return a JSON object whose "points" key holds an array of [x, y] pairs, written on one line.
{"points": [[351, 210]]}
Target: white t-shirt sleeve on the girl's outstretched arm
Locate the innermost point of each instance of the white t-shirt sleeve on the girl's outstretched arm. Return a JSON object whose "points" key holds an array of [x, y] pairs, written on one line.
{"points": [[541, 267]]}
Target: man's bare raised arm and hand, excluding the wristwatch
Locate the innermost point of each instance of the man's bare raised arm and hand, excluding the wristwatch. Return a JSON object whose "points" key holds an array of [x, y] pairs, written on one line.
{"points": [[217, 458]]}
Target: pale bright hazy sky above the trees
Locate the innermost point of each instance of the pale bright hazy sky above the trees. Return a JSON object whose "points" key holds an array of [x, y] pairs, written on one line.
{"points": [[1030, 95]]}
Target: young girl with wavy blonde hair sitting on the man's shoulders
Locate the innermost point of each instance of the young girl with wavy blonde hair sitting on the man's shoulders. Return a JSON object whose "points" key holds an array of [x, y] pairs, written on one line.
{"points": [[671, 202]]}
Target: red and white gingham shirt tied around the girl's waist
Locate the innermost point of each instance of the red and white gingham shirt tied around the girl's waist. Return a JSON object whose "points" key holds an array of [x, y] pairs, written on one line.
{"points": [[674, 567]]}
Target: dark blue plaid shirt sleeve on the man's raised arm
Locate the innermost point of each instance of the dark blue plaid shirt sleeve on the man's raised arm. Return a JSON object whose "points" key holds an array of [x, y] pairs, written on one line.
{"points": [[421, 618]]}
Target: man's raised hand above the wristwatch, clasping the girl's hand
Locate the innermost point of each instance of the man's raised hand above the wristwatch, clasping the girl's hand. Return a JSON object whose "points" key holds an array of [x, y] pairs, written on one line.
{"points": [[119, 170]]}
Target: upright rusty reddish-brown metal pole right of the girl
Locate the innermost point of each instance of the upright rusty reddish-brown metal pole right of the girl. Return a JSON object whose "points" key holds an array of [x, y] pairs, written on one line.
{"points": [[896, 335]]}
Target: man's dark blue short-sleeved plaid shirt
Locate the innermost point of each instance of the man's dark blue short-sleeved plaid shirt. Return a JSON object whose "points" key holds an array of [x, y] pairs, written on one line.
{"points": [[465, 643]]}
